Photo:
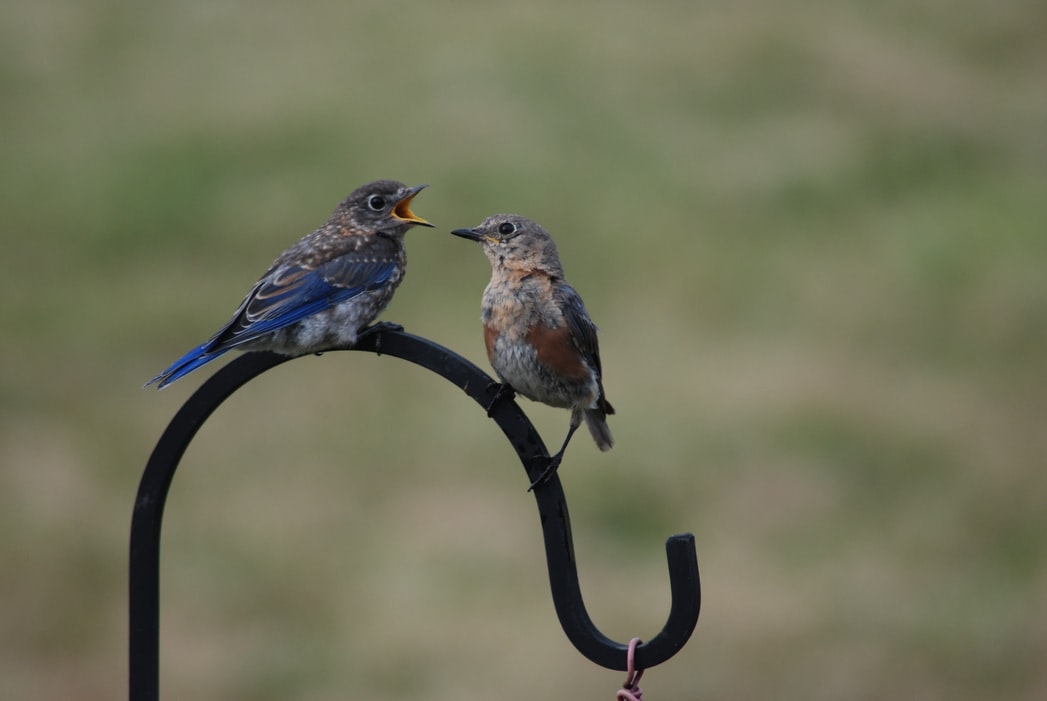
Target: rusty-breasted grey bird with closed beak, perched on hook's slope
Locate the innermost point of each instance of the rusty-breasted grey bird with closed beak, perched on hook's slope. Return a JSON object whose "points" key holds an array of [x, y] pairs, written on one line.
{"points": [[540, 338]]}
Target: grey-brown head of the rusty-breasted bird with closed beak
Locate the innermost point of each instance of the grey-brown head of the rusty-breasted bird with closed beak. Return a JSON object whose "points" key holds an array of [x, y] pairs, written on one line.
{"points": [[516, 243]]}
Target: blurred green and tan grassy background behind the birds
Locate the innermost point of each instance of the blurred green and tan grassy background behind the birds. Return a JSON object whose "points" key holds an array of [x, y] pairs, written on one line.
{"points": [[814, 236]]}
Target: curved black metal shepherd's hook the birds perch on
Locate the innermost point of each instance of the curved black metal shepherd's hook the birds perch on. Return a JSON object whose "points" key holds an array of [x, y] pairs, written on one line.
{"points": [[145, 561]]}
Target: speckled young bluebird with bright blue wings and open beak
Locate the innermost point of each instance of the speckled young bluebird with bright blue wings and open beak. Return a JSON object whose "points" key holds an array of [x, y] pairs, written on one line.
{"points": [[325, 289]]}
